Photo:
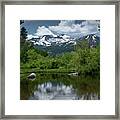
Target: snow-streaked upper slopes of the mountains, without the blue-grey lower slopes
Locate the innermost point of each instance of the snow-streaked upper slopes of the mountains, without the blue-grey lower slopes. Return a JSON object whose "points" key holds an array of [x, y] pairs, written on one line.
{"points": [[62, 40]]}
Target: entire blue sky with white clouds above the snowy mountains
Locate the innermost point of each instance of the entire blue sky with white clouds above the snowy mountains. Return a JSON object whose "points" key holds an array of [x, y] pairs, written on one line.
{"points": [[73, 28]]}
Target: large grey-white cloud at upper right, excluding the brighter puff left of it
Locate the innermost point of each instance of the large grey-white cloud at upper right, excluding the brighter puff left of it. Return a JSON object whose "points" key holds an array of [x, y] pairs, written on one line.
{"points": [[72, 29]]}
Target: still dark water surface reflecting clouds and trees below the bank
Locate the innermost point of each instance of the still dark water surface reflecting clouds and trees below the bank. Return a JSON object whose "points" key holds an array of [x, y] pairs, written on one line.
{"points": [[60, 87]]}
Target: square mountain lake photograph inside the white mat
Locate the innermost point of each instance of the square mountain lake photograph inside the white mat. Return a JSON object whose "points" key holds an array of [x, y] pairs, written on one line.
{"points": [[59, 59]]}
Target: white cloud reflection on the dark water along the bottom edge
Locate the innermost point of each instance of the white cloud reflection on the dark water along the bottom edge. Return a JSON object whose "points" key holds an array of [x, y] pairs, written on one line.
{"points": [[58, 91]]}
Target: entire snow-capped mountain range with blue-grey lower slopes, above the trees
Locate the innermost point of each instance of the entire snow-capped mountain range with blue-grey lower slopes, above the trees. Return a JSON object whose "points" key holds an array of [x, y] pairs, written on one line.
{"points": [[57, 44]]}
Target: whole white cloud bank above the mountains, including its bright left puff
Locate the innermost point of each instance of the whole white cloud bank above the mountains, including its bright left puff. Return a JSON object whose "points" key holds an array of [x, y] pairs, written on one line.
{"points": [[69, 28]]}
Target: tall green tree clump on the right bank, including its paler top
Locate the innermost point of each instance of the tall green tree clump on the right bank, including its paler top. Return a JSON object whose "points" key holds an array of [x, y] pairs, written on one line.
{"points": [[88, 60]]}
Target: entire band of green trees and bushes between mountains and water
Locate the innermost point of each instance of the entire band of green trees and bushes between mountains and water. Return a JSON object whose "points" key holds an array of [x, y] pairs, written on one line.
{"points": [[83, 59]]}
